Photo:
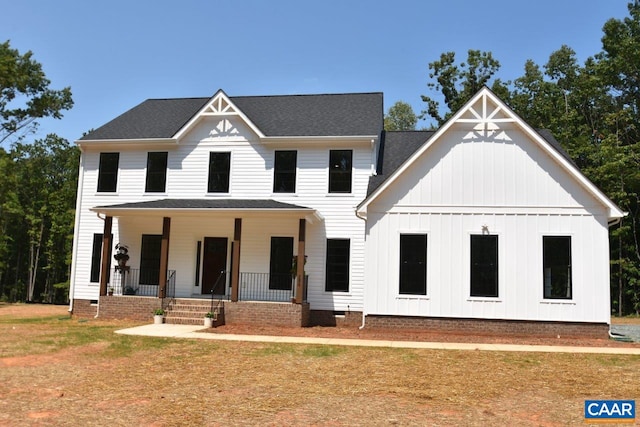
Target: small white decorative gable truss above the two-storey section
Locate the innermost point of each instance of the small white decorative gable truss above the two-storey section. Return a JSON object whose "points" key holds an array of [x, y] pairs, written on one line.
{"points": [[222, 108]]}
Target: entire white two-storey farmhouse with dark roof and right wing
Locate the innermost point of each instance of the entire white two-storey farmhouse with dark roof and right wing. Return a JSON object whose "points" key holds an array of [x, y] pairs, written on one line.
{"points": [[301, 210]]}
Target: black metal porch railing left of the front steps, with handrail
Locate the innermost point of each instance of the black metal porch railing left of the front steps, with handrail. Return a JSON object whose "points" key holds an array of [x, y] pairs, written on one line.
{"points": [[133, 281]]}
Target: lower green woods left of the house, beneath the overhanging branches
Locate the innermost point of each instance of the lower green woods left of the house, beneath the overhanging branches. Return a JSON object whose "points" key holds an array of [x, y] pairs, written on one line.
{"points": [[39, 216]]}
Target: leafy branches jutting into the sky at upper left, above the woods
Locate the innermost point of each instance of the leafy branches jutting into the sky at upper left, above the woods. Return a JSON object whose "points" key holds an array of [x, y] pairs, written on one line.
{"points": [[25, 95]]}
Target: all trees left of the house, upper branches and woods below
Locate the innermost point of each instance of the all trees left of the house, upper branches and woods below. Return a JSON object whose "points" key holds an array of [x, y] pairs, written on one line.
{"points": [[38, 181]]}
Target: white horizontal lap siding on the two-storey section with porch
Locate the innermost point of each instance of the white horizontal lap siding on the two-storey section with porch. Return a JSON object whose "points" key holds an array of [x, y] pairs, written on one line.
{"points": [[251, 177]]}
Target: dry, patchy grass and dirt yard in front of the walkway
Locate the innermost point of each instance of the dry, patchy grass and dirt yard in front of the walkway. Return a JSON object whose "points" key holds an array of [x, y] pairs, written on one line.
{"points": [[60, 371]]}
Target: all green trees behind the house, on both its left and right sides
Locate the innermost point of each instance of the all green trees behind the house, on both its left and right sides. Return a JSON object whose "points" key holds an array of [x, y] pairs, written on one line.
{"points": [[592, 108]]}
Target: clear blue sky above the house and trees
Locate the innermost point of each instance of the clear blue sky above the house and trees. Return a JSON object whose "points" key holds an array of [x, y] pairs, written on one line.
{"points": [[115, 54]]}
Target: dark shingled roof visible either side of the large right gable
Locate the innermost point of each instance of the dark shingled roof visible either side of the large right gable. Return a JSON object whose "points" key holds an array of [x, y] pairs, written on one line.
{"points": [[397, 146]]}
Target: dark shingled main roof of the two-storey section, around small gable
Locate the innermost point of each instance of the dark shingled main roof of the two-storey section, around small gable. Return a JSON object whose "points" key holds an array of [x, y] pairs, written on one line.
{"points": [[286, 115]]}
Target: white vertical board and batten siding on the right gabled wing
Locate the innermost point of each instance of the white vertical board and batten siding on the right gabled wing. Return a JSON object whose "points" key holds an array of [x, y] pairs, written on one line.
{"points": [[509, 188]]}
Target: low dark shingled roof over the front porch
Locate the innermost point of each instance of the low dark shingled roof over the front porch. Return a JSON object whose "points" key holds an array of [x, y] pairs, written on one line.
{"points": [[230, 204]]}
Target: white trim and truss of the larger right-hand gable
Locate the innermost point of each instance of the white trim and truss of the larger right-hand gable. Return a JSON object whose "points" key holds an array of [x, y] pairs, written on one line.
{"points": [[487, 121]]}
